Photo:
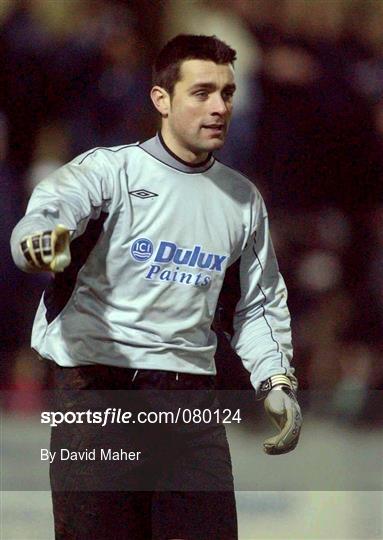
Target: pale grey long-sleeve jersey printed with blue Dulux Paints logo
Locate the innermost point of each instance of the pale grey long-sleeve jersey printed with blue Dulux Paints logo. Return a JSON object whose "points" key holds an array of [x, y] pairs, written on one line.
{"points": [[151, 239]]}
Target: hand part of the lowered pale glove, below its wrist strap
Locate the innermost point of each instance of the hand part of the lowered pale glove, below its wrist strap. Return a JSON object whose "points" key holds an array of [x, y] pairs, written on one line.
{"points": [[285, 413]]}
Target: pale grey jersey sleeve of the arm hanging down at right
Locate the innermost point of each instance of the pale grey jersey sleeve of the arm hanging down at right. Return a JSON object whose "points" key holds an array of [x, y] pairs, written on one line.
{"points": [[262, 335]]}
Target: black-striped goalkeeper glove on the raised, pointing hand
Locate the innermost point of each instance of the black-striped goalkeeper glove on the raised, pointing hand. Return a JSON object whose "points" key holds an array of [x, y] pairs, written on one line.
{"points": [[48, 250]]}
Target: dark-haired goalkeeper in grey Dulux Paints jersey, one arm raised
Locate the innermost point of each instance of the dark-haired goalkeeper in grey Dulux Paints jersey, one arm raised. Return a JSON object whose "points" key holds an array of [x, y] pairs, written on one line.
{"points": [[139, 238]]}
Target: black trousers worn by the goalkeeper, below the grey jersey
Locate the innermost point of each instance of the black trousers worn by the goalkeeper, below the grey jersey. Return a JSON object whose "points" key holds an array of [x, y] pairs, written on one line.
{"points": [[181, 485]]}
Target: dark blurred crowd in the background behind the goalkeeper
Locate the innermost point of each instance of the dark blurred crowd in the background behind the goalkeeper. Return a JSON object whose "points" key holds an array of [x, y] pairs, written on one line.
{"points": [[307, 128]]}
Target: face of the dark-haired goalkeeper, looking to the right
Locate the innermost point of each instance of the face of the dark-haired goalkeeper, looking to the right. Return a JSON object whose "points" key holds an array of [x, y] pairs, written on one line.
{"points": [[200, 108]]}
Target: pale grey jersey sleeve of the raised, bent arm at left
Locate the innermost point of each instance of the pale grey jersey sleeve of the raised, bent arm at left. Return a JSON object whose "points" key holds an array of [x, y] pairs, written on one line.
{"points": [[71, 196]]}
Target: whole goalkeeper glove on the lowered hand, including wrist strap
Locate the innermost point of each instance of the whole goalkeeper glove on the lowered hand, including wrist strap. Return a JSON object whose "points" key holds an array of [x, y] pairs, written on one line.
{"points": [[283, 409]]}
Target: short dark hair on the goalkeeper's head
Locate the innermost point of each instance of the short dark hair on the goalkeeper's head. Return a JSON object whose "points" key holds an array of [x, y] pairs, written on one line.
{"points": [[166, 68]]}
